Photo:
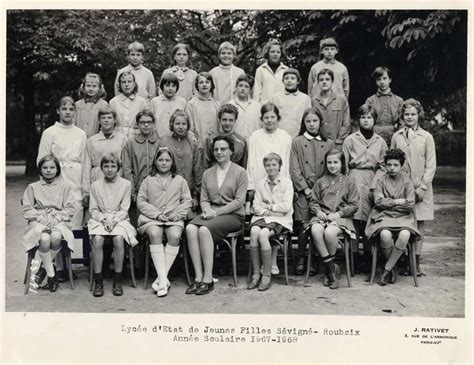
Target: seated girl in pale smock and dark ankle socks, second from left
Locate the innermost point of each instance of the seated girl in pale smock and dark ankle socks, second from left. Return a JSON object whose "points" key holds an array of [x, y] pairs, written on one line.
{"points": [[109, 204]]}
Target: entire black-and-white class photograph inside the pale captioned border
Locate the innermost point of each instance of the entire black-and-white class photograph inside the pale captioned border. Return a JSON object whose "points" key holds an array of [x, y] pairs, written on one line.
{"points": [[240, 162]]}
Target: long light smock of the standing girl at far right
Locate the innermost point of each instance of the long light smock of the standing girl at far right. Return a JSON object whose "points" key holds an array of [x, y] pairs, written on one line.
{"points": [[420, 165]]}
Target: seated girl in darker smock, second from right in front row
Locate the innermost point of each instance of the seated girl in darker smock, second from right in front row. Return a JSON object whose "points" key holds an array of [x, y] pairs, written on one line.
{"points": [[334, 200]]}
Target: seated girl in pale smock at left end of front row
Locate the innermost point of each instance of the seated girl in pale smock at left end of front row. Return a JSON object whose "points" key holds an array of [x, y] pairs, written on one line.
{"points": [[48, 205]]}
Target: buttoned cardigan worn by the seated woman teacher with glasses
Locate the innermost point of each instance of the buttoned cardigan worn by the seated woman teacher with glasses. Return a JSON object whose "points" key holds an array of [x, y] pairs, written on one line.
{"points": [[230, 197]]}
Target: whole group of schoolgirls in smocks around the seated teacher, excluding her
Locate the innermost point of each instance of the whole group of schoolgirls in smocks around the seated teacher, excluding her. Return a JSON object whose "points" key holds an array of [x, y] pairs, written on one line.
{"points": [[138, 161]]}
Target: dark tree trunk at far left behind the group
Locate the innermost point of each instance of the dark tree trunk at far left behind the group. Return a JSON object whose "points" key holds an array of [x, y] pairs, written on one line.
{"points": [[32, 136]]}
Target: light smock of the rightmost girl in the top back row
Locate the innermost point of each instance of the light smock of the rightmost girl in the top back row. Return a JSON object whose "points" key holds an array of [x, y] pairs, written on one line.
{"points": [[341, 78]]}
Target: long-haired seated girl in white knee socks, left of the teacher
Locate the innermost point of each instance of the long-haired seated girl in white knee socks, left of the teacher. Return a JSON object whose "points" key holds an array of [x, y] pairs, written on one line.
{"points": [[163, 201]]}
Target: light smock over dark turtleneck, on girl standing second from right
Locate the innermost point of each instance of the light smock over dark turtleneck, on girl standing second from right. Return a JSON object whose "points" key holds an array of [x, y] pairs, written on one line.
{"points": [[364, 157]]}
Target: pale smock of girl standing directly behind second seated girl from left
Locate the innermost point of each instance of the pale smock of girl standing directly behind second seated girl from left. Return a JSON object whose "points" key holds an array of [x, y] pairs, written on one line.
{"points": [[97, 147]]}
